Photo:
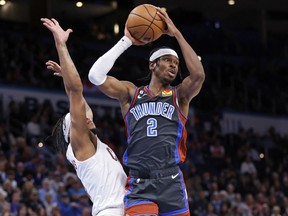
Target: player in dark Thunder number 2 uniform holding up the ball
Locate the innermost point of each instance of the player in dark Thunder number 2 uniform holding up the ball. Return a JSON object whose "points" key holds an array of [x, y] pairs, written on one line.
{"points": [[155, 117]]}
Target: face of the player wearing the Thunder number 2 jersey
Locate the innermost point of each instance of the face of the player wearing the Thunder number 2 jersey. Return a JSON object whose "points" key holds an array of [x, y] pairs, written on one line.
{"points": [[167, 68]]}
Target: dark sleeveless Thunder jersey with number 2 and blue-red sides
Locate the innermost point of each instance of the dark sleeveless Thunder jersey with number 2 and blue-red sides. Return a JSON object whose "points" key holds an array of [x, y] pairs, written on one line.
{"points": [[155, 129]]}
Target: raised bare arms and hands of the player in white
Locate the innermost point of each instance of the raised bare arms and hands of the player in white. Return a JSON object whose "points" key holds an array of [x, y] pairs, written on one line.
{"points": [[78, 132]]}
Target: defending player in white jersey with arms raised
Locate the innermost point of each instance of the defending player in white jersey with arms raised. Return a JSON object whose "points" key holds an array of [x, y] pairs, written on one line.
{"points": [[95, 163]]}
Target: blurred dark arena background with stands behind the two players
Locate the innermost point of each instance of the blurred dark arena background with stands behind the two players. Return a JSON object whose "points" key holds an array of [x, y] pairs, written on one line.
{"points": [[237, 128]]}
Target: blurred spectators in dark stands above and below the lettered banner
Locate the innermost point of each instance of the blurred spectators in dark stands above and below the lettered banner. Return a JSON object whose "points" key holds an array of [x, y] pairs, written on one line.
{"points": [[239, 174]]}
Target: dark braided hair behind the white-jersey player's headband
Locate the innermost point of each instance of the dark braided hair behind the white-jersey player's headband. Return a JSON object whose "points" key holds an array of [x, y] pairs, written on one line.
{"points": [[59, 142]]}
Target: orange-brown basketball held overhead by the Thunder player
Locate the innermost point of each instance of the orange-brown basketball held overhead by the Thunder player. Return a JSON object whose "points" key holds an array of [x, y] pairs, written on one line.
{"points": [[144, 24]]}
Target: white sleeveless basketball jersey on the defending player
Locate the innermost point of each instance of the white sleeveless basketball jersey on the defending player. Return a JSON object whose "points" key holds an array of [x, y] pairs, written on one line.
{"points": [[104, 179]]}
